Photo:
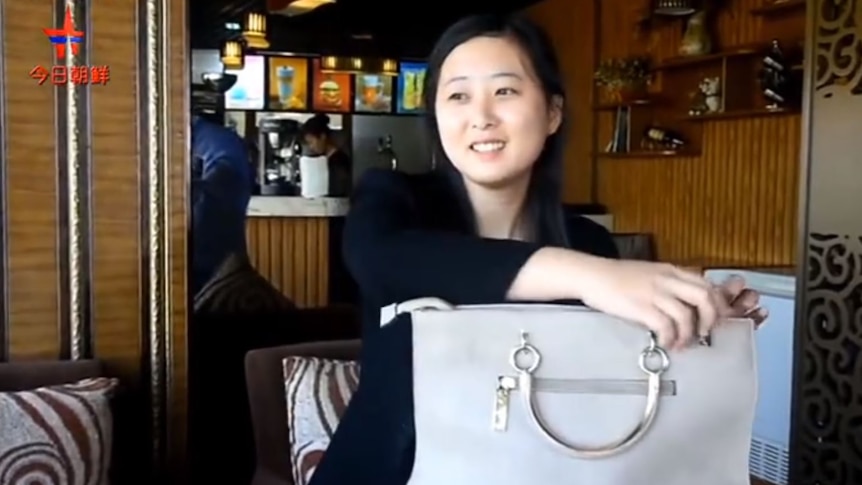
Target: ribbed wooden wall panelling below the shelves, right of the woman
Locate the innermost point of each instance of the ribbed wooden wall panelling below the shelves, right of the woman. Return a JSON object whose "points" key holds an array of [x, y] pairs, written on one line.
{"points": [[735, 204]]}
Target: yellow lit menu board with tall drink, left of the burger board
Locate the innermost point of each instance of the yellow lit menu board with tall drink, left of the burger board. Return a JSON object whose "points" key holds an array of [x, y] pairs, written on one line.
{"points": [[288, 84]]}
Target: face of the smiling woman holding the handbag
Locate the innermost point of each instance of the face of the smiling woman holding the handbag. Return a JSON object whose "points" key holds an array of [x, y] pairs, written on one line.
{"points": [[491, 111]]}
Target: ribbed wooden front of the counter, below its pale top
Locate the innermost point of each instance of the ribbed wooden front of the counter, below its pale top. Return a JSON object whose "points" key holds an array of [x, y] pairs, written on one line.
{"points": [[293, 254]]}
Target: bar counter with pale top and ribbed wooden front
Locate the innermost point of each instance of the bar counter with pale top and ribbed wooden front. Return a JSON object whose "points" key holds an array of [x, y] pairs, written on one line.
{"points": [[289, 244]]}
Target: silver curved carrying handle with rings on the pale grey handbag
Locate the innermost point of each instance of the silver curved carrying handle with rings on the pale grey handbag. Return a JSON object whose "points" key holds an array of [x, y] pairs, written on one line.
{"points": [[653, 371]]}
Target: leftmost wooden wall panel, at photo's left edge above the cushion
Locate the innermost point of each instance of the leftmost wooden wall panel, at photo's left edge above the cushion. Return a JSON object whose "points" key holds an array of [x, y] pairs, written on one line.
{"points": [[31, 184]]}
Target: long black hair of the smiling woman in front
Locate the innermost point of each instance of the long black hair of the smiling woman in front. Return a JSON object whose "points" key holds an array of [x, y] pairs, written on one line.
{"points": [[544, 195]]}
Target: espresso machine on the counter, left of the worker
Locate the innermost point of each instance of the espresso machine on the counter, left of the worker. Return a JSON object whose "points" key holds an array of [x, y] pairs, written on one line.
{"points": [[280, 149]]}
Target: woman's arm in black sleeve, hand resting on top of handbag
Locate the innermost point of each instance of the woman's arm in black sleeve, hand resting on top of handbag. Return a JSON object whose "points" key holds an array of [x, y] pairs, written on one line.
{"points": [[394, 259]]}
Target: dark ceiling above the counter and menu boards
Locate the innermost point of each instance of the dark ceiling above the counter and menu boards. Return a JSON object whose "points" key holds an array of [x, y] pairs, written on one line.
{"points": [[395, 31]]}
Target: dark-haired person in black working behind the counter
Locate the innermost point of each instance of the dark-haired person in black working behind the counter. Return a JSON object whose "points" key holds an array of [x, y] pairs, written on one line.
{"points": [[319, 139]]}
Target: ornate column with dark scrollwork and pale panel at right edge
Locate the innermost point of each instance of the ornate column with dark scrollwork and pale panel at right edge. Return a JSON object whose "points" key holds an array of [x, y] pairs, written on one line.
{"points": [[827, 385]]}
